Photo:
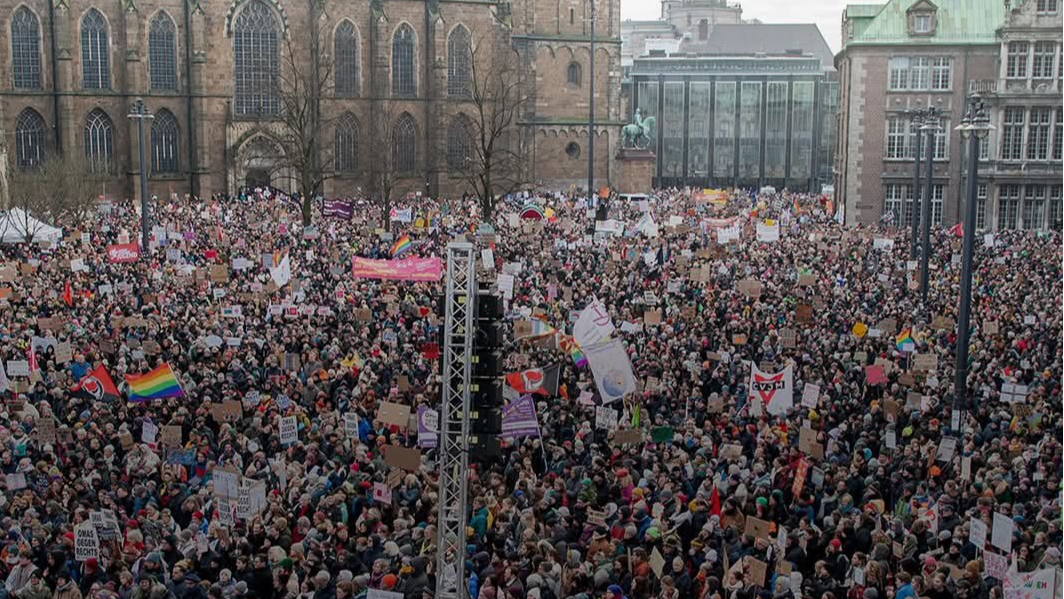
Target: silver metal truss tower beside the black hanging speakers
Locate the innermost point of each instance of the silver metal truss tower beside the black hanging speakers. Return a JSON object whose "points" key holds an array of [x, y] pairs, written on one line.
{"points": [[459, 337]]}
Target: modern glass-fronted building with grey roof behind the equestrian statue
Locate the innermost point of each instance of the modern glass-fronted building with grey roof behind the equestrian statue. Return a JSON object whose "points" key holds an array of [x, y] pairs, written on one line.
{"points": [[741, 119]]}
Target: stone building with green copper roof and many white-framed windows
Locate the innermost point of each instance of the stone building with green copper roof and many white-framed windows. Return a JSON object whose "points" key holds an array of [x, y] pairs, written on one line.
{"points": [[905, 56]]}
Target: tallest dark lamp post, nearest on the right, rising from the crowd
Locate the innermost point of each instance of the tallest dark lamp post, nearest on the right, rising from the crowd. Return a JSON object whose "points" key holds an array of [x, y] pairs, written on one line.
{"points": [[975, 128]]}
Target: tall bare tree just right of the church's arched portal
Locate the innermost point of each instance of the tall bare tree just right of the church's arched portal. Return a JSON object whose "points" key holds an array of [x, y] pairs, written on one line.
{"points": [[302, 126]]}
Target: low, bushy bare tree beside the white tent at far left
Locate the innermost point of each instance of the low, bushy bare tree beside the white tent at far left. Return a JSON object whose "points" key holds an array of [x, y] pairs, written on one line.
{"points": [[51, 194]]}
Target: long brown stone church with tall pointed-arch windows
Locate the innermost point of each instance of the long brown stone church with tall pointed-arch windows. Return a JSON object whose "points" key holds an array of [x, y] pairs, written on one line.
{"points": [[70, 71]]}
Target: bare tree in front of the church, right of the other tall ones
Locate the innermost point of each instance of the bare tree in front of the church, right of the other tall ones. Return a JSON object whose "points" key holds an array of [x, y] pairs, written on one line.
{"points": [[492, 161]]}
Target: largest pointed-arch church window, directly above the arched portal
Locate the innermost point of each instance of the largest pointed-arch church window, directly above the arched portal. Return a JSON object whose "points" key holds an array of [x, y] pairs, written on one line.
{"points": [[256, 60]]}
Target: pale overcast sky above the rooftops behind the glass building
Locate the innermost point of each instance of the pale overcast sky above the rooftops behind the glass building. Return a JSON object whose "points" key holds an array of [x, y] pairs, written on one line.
{"points": [[827, 14]]}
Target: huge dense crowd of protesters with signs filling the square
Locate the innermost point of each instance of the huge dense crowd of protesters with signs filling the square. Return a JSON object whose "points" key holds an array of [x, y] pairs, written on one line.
{"points": [[851, 494]]}
